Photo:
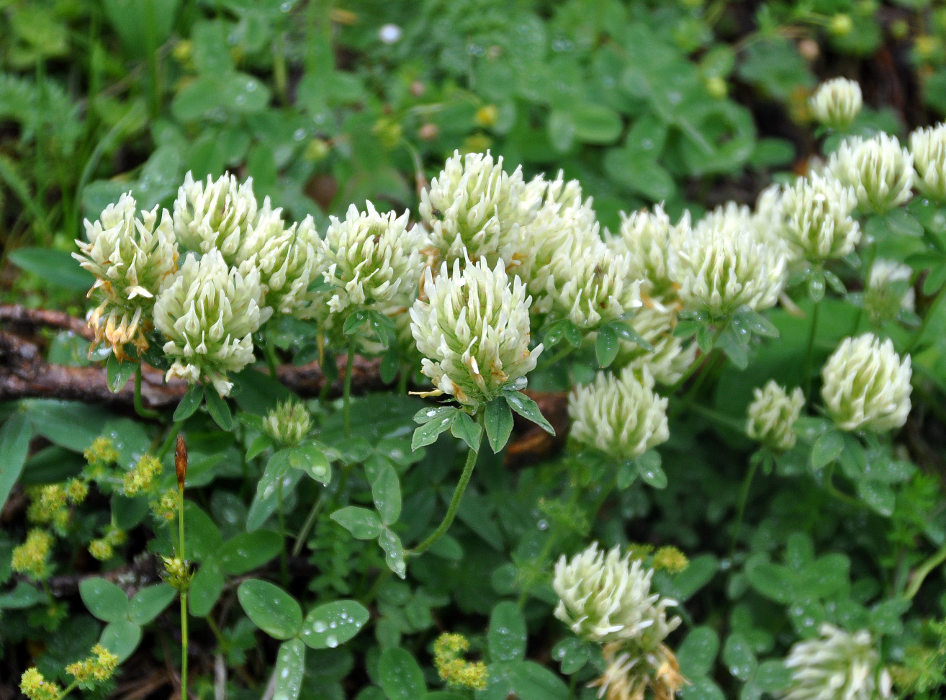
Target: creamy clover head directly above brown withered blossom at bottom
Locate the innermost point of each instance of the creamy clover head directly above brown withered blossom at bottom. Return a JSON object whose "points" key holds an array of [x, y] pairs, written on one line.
{"points": [[605, 597]]}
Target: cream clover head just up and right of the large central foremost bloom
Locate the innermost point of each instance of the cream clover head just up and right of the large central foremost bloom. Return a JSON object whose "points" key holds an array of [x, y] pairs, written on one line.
{"points": [[588, 284]]}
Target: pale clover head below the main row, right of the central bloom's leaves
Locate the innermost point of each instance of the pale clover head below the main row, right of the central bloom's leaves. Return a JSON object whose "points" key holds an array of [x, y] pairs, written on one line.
{"points": [[620, 415]]}
